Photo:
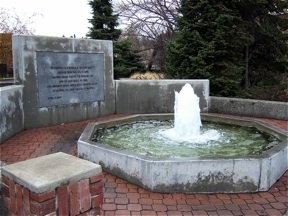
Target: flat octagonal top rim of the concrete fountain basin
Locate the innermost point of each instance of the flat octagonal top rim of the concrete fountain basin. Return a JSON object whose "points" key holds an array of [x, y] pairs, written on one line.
{"points": [[90, 129]]}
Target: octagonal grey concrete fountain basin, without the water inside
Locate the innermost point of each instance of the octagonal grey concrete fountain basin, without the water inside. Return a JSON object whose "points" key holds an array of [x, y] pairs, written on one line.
{"points": [[189, 175]]}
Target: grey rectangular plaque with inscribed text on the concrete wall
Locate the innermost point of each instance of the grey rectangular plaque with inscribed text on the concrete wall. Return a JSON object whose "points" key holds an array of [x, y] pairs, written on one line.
{"points": [[66, 78]]}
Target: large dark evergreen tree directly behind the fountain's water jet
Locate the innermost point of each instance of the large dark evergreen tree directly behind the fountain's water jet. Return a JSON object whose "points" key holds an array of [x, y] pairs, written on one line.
{"points": [[208, 46]]}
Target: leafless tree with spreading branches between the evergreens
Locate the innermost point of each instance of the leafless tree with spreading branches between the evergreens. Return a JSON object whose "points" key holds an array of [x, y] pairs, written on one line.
{"points": [[154, 20]]}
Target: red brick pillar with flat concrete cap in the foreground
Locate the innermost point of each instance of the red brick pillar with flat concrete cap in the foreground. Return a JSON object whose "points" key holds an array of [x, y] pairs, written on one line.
{"points": [[56, 184]]}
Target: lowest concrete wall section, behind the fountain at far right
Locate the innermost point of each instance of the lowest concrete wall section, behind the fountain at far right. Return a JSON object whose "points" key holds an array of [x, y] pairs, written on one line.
{"points": [[247, 107]]}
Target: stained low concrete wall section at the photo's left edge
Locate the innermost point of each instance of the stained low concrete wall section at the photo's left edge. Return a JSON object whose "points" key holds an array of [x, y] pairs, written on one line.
{"points": [[11, 115]]}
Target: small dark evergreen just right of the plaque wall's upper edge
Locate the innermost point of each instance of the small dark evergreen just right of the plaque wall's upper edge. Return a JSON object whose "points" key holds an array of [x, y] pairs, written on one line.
{"points": [[126, 60]]}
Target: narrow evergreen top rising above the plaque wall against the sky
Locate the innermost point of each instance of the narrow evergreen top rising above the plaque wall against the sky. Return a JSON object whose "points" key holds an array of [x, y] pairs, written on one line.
{"points": [[103, 21]]}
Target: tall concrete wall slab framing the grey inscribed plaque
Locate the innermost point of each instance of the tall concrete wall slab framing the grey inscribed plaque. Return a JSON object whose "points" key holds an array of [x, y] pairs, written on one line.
{"points": [[25, 70]]}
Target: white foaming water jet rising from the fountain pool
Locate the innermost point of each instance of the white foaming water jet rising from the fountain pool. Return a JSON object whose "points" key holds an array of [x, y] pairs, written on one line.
{"points": [[187, 119]]}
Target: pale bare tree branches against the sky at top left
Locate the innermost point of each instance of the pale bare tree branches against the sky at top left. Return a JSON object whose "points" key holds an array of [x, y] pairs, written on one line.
{"points": [[10, 22]]}
